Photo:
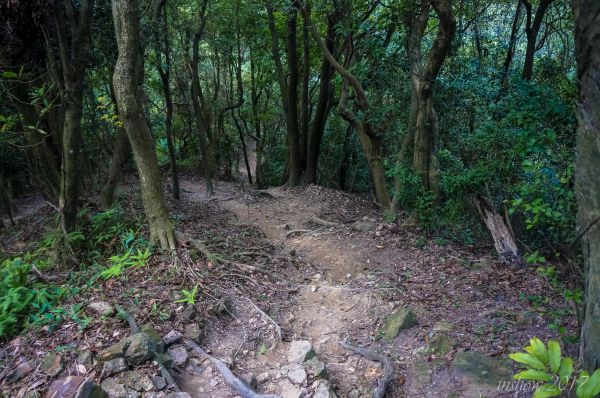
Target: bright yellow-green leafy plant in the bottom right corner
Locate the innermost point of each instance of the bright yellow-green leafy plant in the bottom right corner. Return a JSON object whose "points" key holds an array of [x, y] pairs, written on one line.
{"points": [[554, 372]]}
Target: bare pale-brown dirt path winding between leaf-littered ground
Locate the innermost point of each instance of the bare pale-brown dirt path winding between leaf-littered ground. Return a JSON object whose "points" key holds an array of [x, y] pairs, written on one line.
{"points": [[326, 309]]}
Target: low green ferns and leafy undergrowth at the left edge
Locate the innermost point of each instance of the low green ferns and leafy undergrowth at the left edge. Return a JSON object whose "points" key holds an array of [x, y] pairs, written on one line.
{"points": [[104, 245]]}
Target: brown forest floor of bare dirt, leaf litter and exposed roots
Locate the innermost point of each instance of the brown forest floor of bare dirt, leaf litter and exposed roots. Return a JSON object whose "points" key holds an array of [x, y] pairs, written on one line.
{"points": [[274, 266]]}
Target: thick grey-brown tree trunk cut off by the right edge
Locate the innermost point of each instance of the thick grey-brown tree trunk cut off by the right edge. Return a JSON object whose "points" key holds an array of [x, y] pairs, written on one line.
{"points": [[587, 178]]}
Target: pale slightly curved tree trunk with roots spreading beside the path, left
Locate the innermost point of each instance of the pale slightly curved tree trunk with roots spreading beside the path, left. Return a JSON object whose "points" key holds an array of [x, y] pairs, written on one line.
{"points": [[128, 79]]}
